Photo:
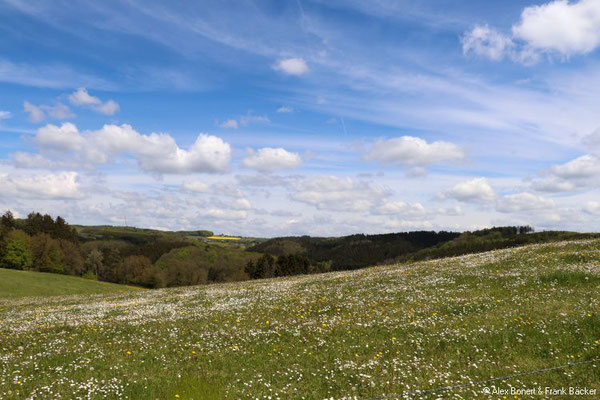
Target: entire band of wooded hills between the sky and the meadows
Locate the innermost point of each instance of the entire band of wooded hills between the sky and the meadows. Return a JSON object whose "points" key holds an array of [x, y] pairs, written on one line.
{"points": [[157, 259]]}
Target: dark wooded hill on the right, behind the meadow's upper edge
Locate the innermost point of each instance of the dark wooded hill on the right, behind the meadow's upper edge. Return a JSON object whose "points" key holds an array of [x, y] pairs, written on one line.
{"points": [[358, 251]]}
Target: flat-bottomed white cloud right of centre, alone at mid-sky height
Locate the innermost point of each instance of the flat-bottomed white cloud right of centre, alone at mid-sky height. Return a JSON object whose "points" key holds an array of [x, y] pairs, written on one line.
{"points": [[414, 152]]}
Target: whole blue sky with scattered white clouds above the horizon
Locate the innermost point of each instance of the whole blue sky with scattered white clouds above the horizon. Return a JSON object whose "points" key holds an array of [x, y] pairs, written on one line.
{"points": [[326, 118]]}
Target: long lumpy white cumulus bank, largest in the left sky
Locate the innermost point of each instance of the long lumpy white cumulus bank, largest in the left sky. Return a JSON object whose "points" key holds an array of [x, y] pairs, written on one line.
{"points": [[156, 152]]}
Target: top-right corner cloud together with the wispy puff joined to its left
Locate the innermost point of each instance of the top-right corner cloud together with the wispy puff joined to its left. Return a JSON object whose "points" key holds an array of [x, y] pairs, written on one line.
{"points": [[558, 27]]}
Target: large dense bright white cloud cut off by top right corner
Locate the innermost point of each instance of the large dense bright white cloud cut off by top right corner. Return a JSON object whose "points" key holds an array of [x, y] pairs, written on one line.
{"points": [[561, 26]]}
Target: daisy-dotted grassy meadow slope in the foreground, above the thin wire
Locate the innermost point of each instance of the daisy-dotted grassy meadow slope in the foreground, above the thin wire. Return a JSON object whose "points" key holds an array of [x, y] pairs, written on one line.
{"points": [[364, 333]]}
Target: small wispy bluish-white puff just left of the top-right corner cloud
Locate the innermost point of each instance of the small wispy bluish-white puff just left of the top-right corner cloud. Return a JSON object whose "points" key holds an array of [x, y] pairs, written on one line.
{"points": [[486, 42]]}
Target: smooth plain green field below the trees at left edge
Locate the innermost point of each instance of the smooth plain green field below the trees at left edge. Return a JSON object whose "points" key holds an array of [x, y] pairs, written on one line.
{"points": [[27, 283]]}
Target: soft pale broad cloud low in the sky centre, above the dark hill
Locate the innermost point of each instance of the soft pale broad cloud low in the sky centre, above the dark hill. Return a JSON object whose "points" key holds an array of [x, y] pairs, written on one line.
{"points": [[327, 192]]}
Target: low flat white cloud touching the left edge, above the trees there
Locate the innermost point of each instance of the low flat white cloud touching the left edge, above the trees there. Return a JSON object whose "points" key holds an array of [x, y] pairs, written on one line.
{"points": [[45, 186]]}
